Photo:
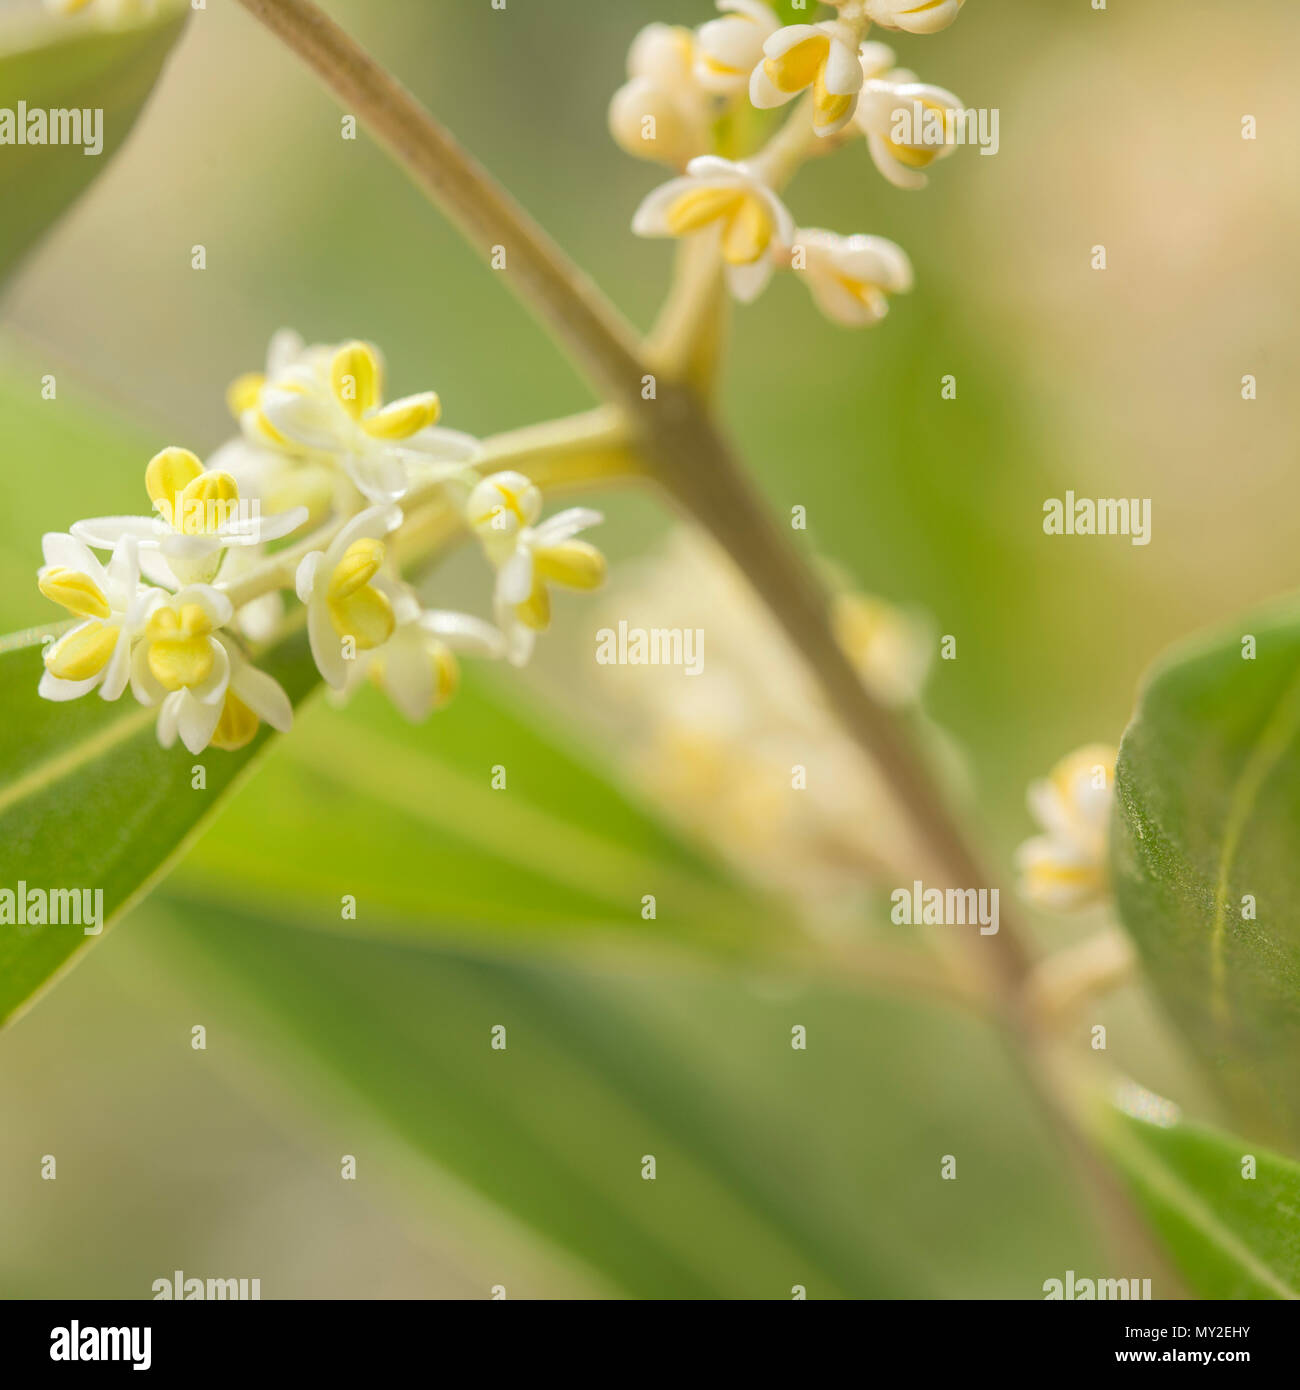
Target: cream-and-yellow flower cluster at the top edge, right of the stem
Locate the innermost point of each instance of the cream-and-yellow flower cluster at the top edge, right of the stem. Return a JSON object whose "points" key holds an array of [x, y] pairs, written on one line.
{"points": [[682, 88]]}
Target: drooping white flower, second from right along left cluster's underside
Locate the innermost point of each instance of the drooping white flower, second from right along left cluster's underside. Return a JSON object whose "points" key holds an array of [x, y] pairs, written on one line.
{"points": [[418, 668]]}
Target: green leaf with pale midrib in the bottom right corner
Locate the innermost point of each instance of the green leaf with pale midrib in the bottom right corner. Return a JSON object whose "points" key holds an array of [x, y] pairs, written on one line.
{"points": [[1231, 1236]]}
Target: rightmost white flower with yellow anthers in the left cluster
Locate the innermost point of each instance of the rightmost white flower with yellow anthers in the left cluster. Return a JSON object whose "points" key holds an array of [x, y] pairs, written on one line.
{"points": [[503, 511]]}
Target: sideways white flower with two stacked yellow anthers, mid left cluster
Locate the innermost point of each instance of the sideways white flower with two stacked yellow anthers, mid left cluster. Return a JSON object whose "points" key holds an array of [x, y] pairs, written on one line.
{"points": [[347, 614]]}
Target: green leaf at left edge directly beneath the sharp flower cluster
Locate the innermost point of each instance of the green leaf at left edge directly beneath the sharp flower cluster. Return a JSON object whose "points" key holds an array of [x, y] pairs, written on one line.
{"points": [[90, 801]]}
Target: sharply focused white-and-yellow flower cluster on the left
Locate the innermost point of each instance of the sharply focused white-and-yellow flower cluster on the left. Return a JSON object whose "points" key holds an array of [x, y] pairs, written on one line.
{"points": [[183, 594]]}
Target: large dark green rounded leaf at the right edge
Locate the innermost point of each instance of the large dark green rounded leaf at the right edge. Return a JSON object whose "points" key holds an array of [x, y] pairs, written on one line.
{"points": [[1206, 865]]}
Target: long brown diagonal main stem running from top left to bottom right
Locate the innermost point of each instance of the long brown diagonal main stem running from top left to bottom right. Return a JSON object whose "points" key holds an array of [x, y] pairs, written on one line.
{"points": [[688, 455]]}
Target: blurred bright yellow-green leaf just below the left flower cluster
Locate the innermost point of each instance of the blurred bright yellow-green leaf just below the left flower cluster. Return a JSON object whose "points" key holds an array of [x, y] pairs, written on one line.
{"points": [[408, 822]]}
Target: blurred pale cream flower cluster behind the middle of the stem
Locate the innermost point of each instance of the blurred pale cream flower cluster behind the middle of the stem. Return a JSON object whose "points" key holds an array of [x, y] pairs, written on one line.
{"points": [[740, 749]]}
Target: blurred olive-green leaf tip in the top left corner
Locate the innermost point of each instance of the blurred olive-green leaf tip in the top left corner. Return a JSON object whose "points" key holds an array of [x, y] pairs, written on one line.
{"points": [[70, 65]]}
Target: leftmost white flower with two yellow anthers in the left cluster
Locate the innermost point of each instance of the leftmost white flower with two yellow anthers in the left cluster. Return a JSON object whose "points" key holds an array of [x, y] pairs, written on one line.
{"points": [[115, 605]]}
